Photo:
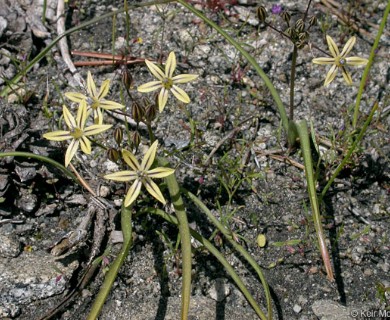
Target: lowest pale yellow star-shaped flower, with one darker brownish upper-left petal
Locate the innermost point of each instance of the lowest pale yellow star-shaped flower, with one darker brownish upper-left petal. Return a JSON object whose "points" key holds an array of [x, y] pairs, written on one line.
{"points": [[141, 175]]}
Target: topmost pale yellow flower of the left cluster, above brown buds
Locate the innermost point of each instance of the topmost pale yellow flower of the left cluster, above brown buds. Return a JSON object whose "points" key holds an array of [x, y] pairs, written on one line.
{"points": [[167, 82]]}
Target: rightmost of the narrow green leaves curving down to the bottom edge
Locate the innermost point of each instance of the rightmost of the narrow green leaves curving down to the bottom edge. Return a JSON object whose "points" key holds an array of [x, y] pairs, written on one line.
{"points": [[228, 235]]}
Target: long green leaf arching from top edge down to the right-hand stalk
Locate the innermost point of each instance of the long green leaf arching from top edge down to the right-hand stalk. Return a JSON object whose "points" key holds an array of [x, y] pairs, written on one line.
{"points": [[251, 60]]}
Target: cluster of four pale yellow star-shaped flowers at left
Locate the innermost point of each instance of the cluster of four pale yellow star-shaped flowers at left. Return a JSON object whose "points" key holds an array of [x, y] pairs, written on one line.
{"points": [[95, 103]]}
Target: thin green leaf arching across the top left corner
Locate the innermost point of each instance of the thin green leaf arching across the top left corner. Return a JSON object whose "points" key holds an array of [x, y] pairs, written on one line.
{"points": [[45, 51]]}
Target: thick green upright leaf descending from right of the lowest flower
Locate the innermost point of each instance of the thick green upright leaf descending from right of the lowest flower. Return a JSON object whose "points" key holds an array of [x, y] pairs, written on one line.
{"points": [[185, 238]]}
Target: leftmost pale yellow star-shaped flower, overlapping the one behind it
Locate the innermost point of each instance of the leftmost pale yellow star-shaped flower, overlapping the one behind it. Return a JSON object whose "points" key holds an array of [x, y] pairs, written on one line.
{"points": [[77, 132]]}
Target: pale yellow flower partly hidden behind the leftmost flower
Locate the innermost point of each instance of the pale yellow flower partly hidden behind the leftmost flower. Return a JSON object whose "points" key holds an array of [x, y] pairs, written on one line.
{"points": [[96, 99]]}
